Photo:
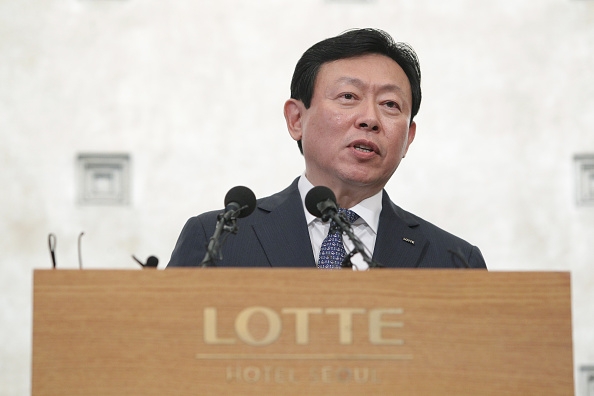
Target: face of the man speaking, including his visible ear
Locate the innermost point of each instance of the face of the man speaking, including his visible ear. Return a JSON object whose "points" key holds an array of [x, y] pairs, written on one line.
{"points": [[357, 129]]}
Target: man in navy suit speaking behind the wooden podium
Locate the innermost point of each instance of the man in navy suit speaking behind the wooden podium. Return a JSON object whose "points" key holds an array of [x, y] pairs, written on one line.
{"points": [[353, 101]]}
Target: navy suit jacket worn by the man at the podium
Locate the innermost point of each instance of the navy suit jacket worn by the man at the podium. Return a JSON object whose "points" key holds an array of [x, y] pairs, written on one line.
{"points": [[276, 235]]}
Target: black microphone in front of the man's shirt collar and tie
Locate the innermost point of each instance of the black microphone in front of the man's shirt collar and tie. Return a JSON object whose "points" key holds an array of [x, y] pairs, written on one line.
{"points": [[320, 201]]}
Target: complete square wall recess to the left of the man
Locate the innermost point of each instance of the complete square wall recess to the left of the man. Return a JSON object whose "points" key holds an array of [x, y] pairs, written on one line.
{"points": [[103, 179]]}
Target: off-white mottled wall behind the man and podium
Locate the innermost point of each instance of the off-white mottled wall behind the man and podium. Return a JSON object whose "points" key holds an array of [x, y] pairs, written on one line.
{"points": [[193, 91]]}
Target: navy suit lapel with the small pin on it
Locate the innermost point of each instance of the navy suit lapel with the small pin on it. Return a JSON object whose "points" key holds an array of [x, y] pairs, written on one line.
{"points": [[399, 242]]}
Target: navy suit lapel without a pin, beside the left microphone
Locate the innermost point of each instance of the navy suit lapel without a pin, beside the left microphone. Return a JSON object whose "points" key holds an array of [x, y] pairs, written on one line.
{"points": [[282, 231]]}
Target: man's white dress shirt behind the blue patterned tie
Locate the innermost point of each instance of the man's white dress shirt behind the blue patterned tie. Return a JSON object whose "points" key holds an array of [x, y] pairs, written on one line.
{"points": [[365, 227]]}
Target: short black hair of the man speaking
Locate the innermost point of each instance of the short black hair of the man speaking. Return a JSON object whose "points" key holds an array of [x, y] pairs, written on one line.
{"points": [[351, 44]]}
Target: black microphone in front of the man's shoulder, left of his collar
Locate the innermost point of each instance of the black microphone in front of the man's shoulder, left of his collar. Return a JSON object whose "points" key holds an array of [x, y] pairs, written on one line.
{"points": [[240, 202]]}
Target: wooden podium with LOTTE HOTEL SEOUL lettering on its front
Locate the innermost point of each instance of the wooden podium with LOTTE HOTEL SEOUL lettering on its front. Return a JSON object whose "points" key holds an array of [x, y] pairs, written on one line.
{"points": [[223, 331]]}
